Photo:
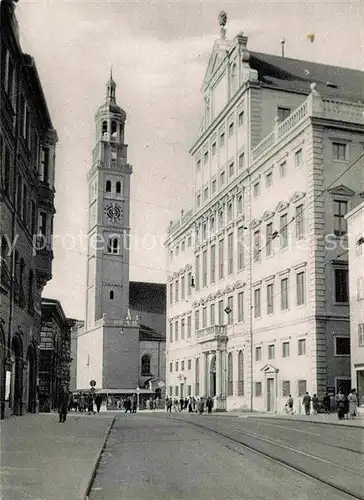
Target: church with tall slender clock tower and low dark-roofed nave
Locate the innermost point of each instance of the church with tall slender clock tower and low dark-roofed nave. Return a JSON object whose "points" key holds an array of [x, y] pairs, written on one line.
{"points": [[122, 342]]}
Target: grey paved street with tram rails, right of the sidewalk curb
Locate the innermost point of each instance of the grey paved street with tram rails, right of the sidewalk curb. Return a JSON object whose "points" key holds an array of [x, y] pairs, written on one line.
{"points": [[170, 457]]}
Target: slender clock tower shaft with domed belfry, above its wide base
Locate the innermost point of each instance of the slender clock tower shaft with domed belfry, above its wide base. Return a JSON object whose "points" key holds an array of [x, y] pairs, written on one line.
{"points": [[109, 216]]}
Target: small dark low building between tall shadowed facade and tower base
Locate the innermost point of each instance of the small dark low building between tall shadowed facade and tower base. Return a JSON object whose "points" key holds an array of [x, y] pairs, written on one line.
{"points": [[55, 354]]}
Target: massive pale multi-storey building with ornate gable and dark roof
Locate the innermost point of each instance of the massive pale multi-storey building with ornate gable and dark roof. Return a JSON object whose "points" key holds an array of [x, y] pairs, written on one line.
{"points": [[258, 304]]}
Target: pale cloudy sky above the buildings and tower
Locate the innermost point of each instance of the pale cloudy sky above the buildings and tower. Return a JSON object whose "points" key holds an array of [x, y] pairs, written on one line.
{"points": [[159, 51]]}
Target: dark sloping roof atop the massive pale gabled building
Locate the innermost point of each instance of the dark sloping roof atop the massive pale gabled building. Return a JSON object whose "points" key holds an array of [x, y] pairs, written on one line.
{"points": [[295, 75]]}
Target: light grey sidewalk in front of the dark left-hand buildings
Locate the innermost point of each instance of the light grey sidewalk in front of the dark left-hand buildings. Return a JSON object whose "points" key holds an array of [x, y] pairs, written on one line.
{"points": [[44, 460]]}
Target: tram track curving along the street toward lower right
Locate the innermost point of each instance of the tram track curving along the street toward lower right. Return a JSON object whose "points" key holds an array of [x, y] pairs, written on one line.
{"points": [[316, 468]]}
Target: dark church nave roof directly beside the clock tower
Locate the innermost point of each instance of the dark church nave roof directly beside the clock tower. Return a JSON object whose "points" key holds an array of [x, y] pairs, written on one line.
{"points": [[147, 297]]}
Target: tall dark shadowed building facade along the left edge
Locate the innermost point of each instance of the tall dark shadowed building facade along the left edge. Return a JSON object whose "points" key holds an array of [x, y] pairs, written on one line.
{"points": [[27, 153]]}
